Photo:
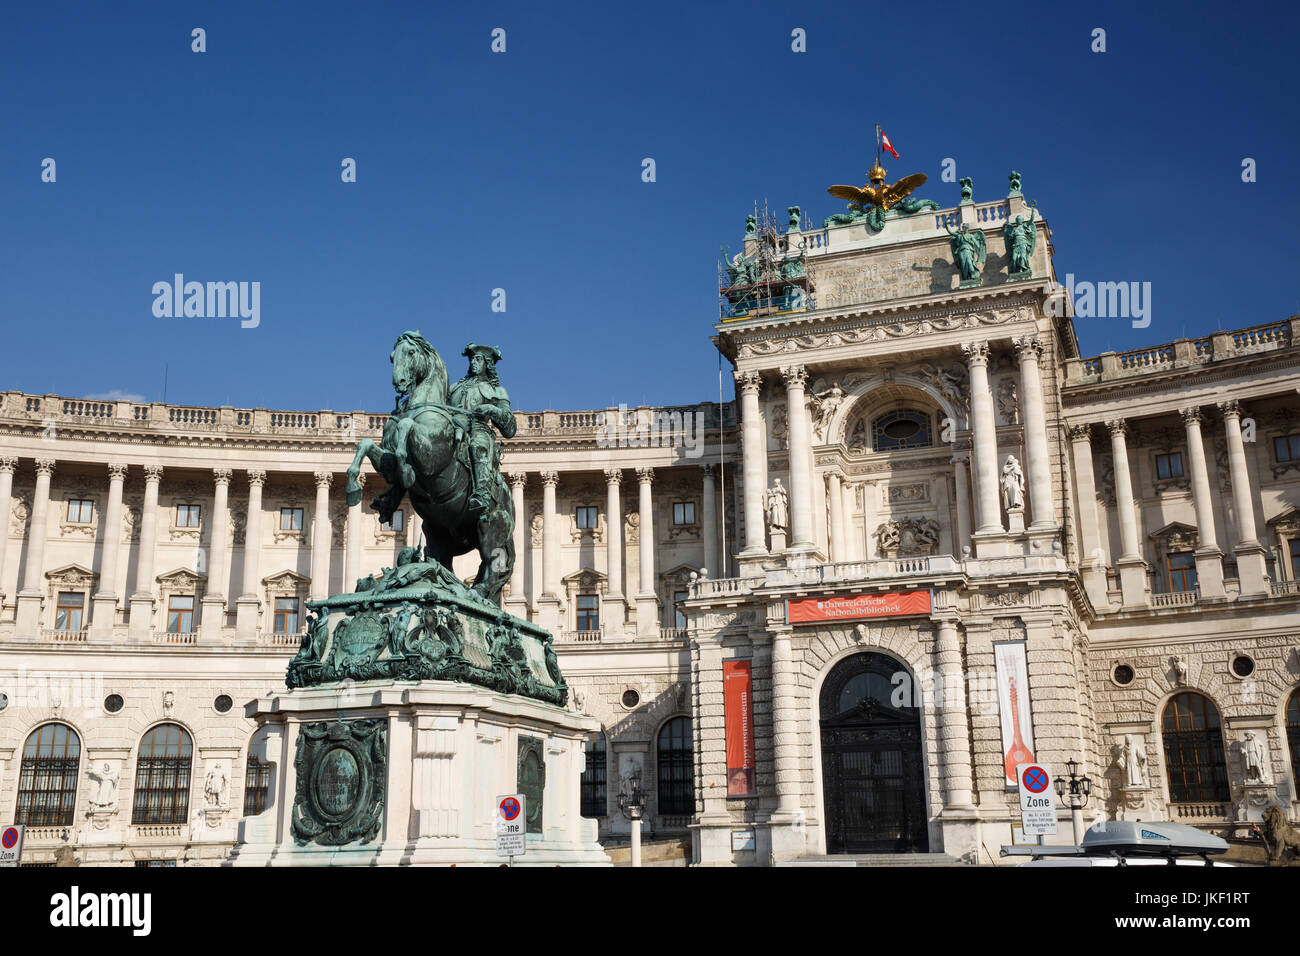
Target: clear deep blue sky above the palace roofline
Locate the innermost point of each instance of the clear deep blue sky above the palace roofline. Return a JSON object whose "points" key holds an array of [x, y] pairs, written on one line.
{"points": [[523, 171]]}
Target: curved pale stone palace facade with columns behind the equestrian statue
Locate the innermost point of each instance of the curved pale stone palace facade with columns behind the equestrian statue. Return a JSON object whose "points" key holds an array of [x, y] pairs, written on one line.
{"points": [[928, 543]]}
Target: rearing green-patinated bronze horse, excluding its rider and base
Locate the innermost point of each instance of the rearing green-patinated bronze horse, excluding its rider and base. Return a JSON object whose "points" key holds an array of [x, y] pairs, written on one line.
{"points": [[424, 456]]}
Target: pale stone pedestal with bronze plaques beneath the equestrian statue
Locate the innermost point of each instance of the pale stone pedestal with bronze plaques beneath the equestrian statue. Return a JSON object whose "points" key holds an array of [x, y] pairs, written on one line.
{"points": [[409, 773]]}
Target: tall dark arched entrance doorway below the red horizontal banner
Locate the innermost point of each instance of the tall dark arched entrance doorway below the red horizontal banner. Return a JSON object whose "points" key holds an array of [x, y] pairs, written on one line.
{"points": [[872, 762]]}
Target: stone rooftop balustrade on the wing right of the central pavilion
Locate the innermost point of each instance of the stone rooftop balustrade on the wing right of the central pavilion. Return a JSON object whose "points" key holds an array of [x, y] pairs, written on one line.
{"points": [[1184, 353]]}
